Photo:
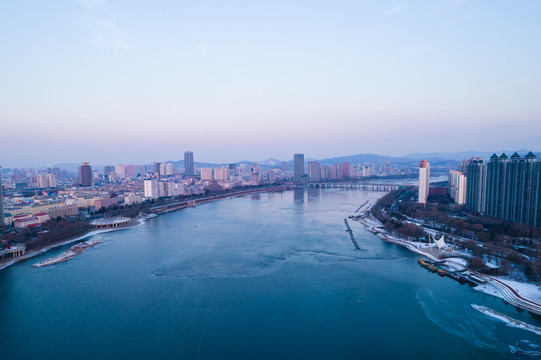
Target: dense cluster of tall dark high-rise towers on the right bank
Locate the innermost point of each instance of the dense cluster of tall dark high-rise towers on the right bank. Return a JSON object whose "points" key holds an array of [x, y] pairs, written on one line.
{"points": [[505, 188]]}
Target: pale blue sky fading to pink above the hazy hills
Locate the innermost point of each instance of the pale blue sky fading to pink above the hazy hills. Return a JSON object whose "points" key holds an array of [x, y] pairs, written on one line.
{"points": [[121, 81]]}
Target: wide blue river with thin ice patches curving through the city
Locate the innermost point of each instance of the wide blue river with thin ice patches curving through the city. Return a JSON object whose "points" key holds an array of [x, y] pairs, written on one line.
{"points": [[266, 276]]}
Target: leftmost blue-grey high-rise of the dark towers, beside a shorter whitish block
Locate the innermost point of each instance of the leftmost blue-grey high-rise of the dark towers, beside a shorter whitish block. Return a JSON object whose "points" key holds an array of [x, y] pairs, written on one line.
{"points": [[476, 184]]}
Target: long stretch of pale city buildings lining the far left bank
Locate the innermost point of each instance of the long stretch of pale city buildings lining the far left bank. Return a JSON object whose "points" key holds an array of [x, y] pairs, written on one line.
{"points": [[33, 196]]}
